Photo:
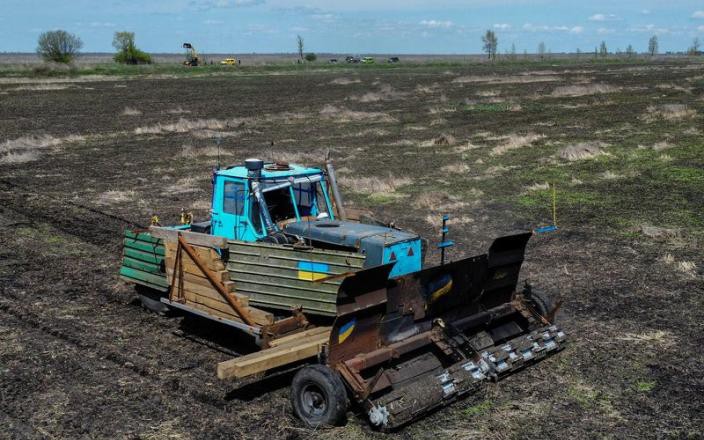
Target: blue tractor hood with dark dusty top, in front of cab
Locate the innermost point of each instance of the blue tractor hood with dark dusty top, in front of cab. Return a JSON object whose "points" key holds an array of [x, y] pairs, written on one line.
{"points": [[380, 244]]}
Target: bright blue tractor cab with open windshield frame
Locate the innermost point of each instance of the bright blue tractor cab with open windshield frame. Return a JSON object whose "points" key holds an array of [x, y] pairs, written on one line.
{"points": [[254, 201]]}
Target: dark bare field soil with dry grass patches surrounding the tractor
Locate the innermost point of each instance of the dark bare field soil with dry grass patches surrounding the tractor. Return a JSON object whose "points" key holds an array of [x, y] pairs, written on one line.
{"points": [[80, 359]]}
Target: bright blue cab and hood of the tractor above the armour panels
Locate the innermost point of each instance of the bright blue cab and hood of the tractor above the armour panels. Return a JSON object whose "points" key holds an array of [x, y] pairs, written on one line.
{"points": [[287, 204]]}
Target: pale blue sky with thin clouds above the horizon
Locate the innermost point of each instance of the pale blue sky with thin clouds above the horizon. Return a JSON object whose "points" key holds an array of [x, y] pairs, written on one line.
{"points": [[356, 26]]}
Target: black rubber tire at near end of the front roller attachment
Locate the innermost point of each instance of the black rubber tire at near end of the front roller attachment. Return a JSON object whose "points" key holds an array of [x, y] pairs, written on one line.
{"points": [[319, 397]]}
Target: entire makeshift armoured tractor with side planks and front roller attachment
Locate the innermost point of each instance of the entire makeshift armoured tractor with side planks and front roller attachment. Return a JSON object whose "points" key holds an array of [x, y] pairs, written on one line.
{"points": [[347, 303]]}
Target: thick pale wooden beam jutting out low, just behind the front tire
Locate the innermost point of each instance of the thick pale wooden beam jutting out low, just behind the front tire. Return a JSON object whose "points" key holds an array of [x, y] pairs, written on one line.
{"points": [[270, 358]]}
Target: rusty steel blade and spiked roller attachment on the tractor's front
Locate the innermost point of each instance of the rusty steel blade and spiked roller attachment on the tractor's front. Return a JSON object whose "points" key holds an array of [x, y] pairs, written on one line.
{"points": [[409, 345]]}
